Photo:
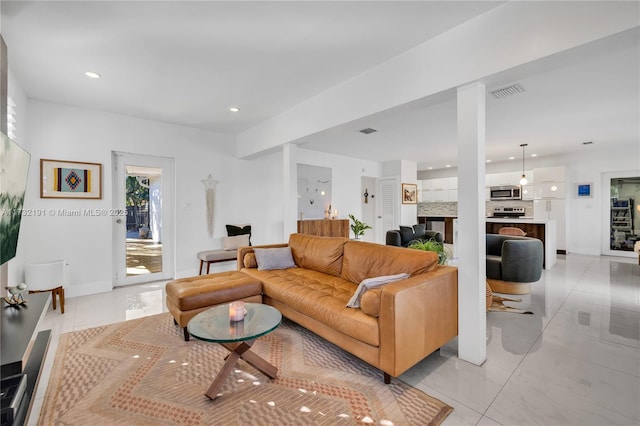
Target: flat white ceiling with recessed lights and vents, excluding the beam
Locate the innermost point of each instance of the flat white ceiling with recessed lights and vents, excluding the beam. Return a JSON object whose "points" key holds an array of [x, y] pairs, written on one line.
{"points": [[188, 62]]}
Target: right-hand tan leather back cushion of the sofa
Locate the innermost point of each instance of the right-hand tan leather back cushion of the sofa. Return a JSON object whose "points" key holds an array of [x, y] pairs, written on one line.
{"points": [[365, 260]]}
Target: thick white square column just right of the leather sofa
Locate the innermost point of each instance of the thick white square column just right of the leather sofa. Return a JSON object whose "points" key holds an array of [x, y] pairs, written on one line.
{"points": [[471, 248]]}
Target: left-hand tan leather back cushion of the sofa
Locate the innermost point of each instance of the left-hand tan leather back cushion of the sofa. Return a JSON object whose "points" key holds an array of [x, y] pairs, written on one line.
{"points": [[321, 254]]}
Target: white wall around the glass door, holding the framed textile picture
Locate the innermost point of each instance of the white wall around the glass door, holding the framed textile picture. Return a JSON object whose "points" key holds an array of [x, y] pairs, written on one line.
{"points": [[68, 133]]}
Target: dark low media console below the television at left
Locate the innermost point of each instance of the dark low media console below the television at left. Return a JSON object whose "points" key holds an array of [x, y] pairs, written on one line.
{"points": [[24, 348]]}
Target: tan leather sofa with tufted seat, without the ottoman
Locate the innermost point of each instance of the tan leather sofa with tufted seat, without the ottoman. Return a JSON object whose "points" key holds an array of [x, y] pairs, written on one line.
{"points": [[397, 325]]}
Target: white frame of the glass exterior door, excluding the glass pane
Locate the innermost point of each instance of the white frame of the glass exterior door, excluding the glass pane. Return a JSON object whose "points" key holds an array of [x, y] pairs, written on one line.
{"points": [[119, 162]]}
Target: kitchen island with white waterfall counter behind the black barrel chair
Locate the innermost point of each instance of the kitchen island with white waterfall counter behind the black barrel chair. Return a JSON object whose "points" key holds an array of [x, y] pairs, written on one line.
{"points": [[544, 230]]}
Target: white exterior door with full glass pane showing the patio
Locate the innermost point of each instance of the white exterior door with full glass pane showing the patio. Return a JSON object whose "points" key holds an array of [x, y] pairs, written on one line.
{"points": [[143, 238]]}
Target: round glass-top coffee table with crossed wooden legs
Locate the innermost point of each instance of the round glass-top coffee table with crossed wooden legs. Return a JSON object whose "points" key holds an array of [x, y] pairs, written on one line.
{"points": [[214, 325]]}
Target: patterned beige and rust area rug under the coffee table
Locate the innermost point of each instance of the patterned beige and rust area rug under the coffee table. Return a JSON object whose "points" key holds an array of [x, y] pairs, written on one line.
{"points": [[141, 372]]}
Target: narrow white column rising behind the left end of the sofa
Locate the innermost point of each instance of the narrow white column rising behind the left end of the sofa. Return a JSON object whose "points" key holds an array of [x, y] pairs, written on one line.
{"points": [[290, 190]]}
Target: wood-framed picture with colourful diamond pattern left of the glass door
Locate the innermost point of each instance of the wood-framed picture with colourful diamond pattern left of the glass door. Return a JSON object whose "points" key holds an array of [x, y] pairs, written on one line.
{"points": [[70, 179]]}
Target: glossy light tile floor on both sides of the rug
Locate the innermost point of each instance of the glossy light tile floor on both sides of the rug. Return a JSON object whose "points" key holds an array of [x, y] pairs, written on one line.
{"points": [[576, 361]]}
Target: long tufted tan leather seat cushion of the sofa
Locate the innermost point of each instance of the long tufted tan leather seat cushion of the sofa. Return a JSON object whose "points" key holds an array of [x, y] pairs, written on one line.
{"points": [[321, 297]]}
